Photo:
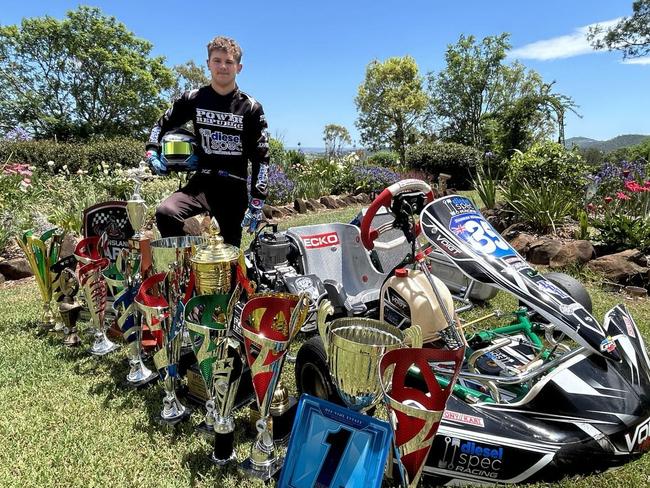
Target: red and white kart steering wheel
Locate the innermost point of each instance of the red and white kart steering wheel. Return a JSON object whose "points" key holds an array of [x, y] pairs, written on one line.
{"points": [[369, 234]]}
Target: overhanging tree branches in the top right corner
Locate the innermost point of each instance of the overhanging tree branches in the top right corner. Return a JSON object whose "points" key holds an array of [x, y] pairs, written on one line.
{"points": [[631, 35]]}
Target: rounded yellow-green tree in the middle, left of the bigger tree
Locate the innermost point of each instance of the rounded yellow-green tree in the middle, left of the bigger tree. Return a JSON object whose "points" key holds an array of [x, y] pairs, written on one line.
{"points": [[392, 104]]}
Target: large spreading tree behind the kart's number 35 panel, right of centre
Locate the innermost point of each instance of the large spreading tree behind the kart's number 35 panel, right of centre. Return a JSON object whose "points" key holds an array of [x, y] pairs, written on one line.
{"points": [[480, 101]]}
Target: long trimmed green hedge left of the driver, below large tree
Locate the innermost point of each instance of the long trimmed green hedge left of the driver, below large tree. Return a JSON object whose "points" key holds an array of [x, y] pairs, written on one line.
{"points": [[86, 156]]}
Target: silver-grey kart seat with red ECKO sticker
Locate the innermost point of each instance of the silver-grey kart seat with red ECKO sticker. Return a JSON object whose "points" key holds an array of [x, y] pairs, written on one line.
{"points": [[335, 254]]}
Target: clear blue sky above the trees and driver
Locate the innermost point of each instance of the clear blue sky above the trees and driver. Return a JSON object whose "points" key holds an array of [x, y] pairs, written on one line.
{"points": [[305, 60]]}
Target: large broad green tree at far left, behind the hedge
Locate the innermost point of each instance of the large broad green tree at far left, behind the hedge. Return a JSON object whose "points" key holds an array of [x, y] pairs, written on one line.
{"points": [[78, 77]]}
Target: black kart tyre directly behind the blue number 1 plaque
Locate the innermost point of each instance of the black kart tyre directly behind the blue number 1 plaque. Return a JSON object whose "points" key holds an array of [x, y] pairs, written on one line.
{"points": [[312, 371]]}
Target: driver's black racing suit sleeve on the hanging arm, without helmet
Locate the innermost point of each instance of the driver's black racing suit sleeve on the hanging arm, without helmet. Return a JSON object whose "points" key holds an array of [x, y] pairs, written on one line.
{"points": [[258, 152]]}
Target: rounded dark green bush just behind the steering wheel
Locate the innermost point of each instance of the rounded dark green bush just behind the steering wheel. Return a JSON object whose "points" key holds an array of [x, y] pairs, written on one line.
{"points": [[456, 160]]}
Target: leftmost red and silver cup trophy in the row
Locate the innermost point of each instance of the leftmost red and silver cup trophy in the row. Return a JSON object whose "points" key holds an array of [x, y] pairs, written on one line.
{"points": [[95, 290]]}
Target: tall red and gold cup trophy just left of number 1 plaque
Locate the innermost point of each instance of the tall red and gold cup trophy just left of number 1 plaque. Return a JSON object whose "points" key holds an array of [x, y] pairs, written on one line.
{"points": [[269, 323]]}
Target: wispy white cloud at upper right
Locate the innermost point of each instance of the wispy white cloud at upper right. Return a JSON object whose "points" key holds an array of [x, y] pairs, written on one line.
{"points": [[567, 46]]}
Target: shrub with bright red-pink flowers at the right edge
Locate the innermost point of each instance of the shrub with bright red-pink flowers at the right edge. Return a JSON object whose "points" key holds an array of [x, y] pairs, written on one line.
{"points": [[619, 205]]}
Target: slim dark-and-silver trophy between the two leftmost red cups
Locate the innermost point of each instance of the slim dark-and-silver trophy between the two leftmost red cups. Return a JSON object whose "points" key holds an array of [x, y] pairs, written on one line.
{"points": [[124, 280]]}
